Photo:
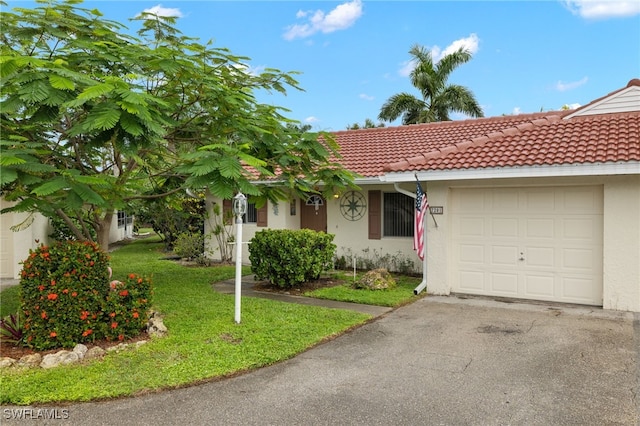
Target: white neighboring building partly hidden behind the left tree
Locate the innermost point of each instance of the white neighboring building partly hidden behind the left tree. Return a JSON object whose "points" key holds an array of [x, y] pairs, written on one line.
{"points": [[21, 232]]}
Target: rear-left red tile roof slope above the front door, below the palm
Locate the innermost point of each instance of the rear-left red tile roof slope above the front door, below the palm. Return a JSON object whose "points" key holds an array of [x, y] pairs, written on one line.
{"points": [[370, 152]]}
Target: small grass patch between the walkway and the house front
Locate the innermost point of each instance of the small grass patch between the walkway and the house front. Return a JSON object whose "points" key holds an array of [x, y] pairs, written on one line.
{"points": [[398, 296]]}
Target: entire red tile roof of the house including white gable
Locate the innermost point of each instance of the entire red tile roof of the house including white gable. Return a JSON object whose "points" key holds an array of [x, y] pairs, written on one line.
{"points": [[606, 130]]}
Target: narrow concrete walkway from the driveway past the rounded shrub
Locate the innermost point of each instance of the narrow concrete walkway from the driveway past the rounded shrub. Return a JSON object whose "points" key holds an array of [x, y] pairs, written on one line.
{"points": [[248, 290]]}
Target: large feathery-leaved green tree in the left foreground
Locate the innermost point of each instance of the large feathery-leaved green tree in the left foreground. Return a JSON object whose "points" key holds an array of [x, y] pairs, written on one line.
{"points": [[94, 118]]}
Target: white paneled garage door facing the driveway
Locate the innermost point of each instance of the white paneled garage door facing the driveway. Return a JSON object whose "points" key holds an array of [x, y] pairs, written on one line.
{"points": [[531, 243]]}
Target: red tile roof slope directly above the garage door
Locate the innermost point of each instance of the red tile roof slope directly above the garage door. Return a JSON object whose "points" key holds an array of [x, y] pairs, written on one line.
{"points": [[550, 141]]}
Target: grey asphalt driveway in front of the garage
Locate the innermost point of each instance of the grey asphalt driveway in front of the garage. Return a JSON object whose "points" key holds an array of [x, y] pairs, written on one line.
{"points": [[438, 361]]}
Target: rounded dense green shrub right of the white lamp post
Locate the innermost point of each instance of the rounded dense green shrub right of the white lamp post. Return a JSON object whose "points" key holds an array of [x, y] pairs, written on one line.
{"points": [[287, 258]]}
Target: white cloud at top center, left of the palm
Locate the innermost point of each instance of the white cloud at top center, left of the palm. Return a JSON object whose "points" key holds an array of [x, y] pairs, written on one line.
{"points": [[340, 18]]}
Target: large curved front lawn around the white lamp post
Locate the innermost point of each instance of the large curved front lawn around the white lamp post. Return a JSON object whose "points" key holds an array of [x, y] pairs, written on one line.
{"points": [[203, 343]]}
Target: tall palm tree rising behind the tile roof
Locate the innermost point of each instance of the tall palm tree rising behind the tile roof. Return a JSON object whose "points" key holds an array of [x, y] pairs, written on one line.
{"points": [[437, 98]]}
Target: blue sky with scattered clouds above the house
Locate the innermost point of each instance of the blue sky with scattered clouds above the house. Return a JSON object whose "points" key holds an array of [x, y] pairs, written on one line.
{"points": [[353, 55]]}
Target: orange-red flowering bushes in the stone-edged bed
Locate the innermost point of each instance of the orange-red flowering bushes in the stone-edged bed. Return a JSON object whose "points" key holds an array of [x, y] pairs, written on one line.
{"points": [[66, 298]]}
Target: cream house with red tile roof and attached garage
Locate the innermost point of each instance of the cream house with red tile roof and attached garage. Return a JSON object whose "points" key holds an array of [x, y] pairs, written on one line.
{"points": [[542, 206]]}
